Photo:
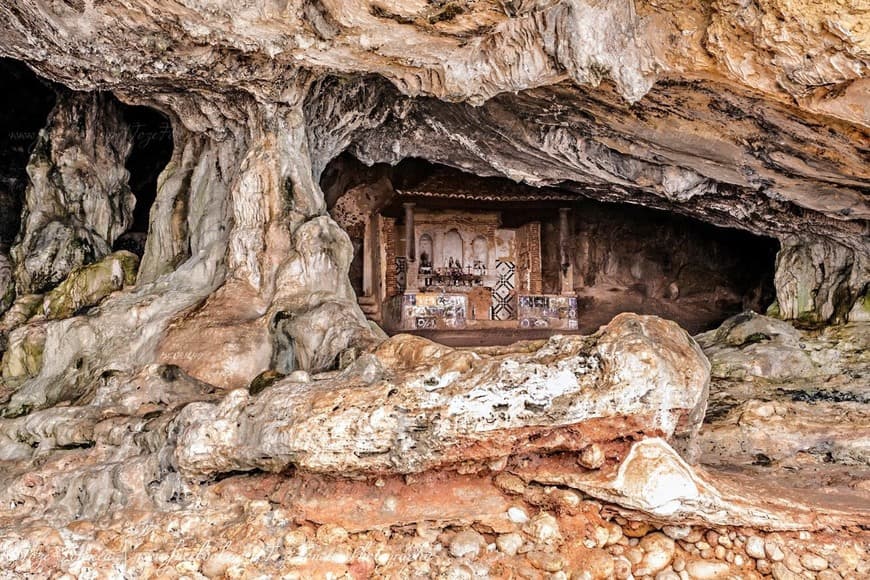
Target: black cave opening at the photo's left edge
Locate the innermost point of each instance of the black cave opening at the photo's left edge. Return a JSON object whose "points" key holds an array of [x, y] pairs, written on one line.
{"points": [[24, 109]]}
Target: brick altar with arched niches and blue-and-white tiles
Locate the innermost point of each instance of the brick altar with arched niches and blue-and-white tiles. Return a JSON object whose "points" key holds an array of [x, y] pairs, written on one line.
{"points": [[461, 269]]}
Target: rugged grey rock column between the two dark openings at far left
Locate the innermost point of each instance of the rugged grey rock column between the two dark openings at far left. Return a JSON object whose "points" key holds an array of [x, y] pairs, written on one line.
{"points": [[78, 200]]}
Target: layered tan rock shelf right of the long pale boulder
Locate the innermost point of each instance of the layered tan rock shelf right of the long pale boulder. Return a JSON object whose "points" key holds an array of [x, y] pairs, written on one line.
{"points": [[789, 404]]}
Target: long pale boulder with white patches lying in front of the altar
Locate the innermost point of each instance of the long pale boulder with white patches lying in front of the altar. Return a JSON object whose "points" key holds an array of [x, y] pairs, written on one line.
{"points": [[639, 376]]}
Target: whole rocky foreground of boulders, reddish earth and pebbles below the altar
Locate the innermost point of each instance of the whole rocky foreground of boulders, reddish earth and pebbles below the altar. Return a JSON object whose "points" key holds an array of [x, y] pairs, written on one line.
{"points": [[781, 490]]}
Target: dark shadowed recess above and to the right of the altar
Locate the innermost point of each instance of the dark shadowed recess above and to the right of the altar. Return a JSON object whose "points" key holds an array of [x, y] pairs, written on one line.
{"points": [[625, 257]]}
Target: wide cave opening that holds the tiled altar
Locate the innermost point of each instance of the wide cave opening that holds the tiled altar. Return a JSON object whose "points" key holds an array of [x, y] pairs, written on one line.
{"points": [[487, 253]]}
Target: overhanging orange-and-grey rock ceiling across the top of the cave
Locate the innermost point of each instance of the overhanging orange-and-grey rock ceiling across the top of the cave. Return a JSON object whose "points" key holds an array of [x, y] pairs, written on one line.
{"points": [[708, 107]]}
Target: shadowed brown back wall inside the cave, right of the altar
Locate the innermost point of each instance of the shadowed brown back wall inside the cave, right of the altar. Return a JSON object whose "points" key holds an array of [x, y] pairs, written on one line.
{"points": [[632, 246]]}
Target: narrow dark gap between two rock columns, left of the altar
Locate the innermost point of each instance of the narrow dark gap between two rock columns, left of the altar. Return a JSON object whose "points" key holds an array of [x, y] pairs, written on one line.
{"points": [[151, 151]]}
